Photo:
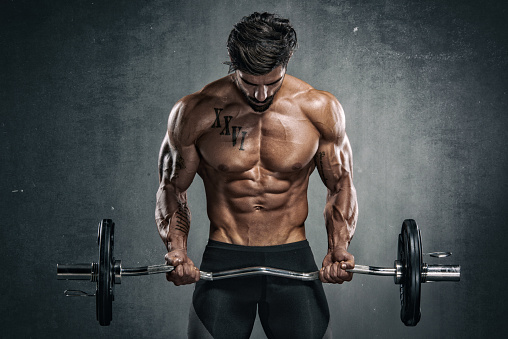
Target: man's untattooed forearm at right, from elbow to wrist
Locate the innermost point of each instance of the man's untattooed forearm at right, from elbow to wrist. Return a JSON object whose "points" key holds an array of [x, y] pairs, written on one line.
{"points": [[341, 213]]}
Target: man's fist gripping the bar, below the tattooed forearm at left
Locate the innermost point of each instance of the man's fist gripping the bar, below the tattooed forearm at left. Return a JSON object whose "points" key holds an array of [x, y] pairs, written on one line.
{"points": [[185, 272]]}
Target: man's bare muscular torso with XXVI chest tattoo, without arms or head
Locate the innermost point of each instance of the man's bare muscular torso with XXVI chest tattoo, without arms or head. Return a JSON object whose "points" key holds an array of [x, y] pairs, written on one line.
{"points": [[256, 165]]}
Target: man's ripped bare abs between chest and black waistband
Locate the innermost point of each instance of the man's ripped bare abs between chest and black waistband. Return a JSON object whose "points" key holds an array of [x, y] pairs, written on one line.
{"points": [[256, 210]]}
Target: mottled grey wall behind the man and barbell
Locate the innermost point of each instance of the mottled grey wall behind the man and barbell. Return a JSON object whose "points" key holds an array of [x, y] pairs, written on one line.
{"points": [[86, 87]]}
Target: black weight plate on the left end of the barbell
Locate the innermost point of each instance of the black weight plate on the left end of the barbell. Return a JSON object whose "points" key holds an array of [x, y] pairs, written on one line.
{"points": [[104, 293]]}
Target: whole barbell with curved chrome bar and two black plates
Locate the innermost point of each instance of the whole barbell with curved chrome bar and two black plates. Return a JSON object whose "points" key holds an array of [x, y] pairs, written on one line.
{"points": [[409, 272]]}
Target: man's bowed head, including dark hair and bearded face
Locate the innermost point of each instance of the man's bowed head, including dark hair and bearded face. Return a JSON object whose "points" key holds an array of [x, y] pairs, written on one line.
{"points": [[260, 47]]}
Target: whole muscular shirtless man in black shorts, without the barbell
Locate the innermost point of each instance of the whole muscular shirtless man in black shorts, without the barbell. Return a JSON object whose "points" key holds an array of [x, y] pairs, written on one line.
{"points": [[254, 137]]}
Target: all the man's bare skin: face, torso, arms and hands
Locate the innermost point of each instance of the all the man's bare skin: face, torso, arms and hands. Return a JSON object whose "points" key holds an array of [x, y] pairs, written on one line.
{"points": [[255, 140]]}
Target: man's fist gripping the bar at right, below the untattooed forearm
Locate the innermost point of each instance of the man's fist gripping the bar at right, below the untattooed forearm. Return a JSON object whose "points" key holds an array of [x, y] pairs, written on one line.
{"points": [[334, 266]]}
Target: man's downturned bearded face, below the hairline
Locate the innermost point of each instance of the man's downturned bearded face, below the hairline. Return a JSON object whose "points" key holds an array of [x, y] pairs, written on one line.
{"points": [[259, 90]]}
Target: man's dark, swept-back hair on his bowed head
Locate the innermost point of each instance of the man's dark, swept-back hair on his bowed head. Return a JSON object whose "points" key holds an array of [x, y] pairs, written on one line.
{"points": [[259, 43]]}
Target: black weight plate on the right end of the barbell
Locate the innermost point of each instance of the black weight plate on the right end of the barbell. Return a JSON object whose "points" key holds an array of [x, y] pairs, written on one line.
{"points": [[410, 256]]}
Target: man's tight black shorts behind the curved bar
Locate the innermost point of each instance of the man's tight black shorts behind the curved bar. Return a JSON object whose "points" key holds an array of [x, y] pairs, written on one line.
{"points": [[287, 308]]}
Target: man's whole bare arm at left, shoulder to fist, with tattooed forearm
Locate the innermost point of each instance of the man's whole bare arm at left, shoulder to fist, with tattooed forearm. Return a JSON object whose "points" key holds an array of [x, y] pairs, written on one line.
{"points": [[178, 163]]}
